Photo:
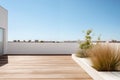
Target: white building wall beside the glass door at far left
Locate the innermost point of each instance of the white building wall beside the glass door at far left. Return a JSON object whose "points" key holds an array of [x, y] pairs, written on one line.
{"points": [[4, 25]]}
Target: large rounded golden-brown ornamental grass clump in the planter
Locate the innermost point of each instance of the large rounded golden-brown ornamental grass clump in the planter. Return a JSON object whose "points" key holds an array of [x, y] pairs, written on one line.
{"points": [[105, 57]]}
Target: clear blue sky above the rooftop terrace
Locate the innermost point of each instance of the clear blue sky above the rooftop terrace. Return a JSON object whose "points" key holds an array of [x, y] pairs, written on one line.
{"points": [[62, 19]]}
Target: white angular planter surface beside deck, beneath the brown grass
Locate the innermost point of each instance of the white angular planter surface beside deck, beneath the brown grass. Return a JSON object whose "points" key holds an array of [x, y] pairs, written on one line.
{"points": [[96, 75]]}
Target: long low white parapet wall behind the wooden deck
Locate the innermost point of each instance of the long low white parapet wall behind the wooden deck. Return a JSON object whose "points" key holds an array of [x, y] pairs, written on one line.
{"points": [[42, 48]]}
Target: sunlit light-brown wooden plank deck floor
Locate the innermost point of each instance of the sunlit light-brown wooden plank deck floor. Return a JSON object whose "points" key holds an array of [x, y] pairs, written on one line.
{"points": [[42, 67]]}
